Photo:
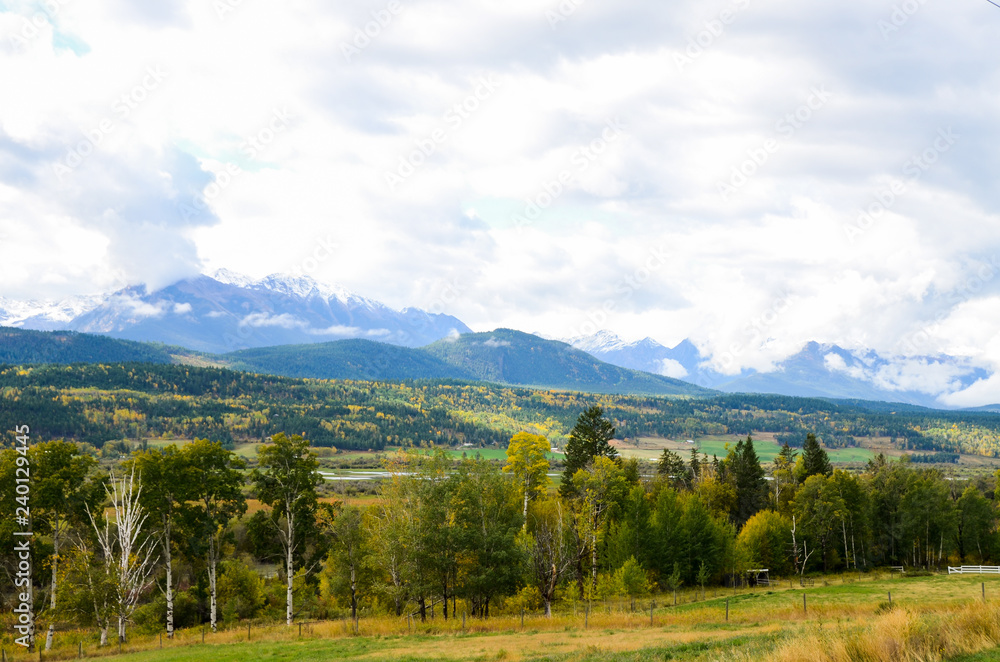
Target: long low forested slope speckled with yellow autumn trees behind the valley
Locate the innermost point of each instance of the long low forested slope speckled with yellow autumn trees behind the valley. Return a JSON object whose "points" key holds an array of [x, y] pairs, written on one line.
{"points": [[103, 402]]}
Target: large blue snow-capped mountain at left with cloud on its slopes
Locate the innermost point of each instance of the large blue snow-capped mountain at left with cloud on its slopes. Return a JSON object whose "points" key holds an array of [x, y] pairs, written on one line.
{"points": [[229, 311]]}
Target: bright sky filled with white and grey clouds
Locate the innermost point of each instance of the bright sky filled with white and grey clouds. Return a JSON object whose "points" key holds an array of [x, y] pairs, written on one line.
{"points": [[749, 174]]}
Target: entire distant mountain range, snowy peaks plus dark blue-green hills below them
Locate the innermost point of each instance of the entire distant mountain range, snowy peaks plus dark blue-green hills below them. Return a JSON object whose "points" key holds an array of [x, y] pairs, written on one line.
{"points": [[295, 326]]}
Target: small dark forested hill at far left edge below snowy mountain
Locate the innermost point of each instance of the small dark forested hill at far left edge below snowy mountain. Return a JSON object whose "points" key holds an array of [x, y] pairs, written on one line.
{"points": [[19, 346]]}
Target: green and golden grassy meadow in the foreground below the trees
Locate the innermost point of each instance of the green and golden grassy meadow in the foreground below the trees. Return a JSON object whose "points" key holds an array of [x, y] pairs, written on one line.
{"points": [[844, 618]]}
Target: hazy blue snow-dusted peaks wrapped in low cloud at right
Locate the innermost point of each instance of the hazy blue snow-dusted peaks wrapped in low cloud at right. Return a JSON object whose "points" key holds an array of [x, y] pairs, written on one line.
{"points": [[817, 370]]}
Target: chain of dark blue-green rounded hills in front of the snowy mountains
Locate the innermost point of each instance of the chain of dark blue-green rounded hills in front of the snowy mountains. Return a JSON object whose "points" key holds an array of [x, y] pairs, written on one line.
{"points": [[502, 356]]}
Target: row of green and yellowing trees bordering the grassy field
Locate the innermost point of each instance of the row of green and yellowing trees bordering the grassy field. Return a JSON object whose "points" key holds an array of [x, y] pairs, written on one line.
{"points": [[180, 535]]}
